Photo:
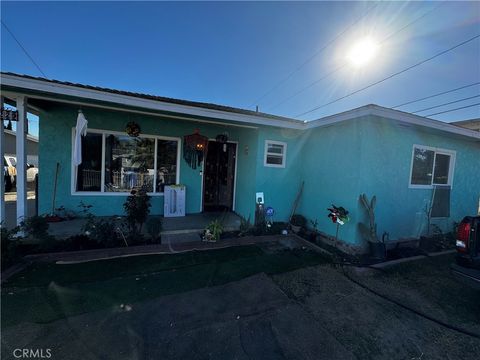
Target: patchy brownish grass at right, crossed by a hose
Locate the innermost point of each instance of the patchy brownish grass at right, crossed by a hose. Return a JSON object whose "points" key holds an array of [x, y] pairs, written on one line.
{"points": [[374, 328]]}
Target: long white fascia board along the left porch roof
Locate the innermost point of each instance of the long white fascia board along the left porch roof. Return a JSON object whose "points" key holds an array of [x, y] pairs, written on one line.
{"points": [[99, 95]]}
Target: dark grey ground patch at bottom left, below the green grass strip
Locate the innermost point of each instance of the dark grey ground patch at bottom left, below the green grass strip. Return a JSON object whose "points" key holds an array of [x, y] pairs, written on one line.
{"points": [[248, 319]]}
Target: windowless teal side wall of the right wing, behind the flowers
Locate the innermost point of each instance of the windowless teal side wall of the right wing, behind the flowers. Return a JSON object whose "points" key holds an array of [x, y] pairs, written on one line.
{"points": [[331, 171]]}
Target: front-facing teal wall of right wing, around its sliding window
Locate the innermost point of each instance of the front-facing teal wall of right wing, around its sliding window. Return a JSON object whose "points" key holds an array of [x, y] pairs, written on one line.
{"points": [[385, 171]]}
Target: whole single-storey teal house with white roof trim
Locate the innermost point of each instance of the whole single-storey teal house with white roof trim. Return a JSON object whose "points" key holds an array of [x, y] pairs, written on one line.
{"points": [[397, 156]]}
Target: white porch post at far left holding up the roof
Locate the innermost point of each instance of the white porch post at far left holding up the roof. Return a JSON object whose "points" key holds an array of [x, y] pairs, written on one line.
{"points": [[21, 159]]}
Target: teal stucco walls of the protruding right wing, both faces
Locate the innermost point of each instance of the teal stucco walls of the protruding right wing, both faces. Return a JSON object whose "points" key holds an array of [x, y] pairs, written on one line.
{"points": [[373, 155]]}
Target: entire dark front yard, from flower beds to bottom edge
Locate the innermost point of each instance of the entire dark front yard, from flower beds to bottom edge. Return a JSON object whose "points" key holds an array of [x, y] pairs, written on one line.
{"points": [[250, 302]]}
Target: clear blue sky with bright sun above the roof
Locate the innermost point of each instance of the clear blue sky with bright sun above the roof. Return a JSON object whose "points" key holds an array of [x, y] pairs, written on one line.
{"points": [[289, 58]]}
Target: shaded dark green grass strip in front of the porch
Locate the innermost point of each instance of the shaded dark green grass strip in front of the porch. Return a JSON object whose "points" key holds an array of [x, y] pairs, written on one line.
{"points": [[45, 292]]}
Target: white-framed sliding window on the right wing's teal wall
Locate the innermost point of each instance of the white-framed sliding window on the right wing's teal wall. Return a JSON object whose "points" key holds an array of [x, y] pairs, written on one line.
{"points": [[431, 166]]}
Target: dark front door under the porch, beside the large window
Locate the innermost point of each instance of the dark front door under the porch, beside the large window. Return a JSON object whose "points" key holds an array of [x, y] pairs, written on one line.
{"points": [[219, 176]]}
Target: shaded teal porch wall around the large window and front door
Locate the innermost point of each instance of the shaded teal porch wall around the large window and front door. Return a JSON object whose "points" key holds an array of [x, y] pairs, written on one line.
{"points": [[56, 146]]}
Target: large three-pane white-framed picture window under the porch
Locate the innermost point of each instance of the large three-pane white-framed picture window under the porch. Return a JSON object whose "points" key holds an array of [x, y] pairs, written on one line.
{"points": [[118, 163]]}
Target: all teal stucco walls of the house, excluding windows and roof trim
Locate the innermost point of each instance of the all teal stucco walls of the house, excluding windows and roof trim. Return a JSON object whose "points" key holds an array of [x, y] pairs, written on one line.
{"points": [[337, 163]]}
